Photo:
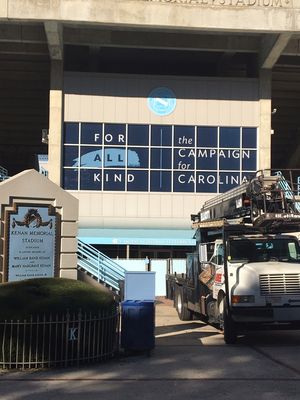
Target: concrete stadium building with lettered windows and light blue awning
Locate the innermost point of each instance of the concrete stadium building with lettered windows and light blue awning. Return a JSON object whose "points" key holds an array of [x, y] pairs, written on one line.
{"points": [[150, 106]]}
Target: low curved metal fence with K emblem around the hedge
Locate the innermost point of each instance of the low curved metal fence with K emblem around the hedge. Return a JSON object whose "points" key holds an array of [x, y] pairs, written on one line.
{"points": [[60, 340]]}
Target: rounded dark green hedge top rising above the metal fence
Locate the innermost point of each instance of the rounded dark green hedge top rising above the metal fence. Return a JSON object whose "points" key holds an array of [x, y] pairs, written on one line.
{"points": [[20, 300]]}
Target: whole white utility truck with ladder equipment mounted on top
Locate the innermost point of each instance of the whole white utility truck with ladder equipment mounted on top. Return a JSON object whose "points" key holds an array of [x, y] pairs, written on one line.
{"points": [[245, 272]]}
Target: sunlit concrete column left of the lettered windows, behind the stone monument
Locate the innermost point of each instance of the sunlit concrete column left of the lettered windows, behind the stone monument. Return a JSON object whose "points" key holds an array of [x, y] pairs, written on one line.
{"points": [[55, 121]]}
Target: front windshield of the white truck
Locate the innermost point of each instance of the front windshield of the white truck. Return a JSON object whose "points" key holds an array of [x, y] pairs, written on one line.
{"points": [[259, 250]]}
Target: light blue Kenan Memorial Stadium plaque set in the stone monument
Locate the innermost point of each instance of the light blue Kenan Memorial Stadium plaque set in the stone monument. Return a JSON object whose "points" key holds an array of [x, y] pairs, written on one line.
{"points": [[31, 238]]}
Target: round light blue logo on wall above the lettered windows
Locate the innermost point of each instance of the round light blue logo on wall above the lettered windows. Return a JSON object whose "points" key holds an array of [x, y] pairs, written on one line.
{"points": [[162, 101]]}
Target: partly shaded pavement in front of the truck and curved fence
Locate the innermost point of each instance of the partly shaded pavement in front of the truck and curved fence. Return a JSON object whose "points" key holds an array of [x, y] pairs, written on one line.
{"points": [[190, 360]]}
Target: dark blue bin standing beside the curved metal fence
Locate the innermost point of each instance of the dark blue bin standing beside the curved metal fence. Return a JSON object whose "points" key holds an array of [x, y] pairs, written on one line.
{"points": [[137, 325]]}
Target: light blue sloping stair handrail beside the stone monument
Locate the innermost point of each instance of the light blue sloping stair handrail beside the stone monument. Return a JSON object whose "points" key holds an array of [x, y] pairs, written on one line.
{"points": [[100, 266]]}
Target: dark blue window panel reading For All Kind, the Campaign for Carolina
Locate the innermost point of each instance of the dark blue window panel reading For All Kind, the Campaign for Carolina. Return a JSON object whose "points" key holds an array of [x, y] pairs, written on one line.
{"points": [[157, 158]]}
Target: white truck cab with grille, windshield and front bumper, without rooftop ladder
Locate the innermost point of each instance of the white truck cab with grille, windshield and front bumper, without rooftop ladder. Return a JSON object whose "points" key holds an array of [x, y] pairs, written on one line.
{"points": [[262, 286]]}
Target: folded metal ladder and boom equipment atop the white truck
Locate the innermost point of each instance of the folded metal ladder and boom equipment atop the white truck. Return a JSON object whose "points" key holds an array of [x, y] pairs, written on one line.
{"points": [[269, 201]]}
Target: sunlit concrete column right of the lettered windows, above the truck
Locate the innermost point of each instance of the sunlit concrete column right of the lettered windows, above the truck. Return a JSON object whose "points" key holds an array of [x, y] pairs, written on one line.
{"points": [[264, 144]]}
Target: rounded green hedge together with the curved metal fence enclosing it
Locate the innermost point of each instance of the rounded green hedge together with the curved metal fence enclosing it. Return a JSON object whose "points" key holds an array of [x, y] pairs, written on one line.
{"points": [[55, 322]]}
